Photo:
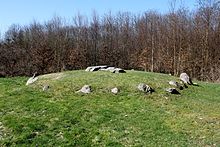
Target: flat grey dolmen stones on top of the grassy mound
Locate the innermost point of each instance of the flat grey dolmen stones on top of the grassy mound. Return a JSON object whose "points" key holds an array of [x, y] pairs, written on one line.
{"points": [[105, 68]]}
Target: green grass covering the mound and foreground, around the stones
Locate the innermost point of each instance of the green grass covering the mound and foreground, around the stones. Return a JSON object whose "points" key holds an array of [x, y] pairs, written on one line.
{"points": [[30, 116]]}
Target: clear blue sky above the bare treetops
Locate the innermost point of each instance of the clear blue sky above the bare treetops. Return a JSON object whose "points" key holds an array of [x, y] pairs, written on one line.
{"points": [[23, 12]]}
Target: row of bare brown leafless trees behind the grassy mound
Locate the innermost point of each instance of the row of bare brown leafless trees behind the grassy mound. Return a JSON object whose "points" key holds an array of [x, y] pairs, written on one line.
{"points": [[175, 42]]}
